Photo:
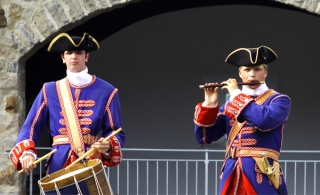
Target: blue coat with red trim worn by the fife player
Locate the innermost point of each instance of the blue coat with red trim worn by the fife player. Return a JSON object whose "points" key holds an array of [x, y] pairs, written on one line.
{"points": [[260, 129]]}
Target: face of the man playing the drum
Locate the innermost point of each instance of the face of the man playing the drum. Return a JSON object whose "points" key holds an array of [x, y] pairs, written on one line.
{"points": [[75, 60]]}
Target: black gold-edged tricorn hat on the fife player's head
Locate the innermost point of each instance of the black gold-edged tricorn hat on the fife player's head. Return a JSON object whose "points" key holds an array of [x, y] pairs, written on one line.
{"points": [[251, 56]]}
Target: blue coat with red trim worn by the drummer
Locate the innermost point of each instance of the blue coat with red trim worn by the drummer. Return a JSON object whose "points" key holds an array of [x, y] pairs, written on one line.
{"points": [[97, 108]]}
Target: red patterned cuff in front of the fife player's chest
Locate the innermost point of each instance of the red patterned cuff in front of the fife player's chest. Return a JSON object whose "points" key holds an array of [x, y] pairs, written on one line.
{"points": [[235, 107]]}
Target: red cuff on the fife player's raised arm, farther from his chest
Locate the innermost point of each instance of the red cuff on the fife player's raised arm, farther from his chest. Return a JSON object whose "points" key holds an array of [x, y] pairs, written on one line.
{"points": [[205, 116]]}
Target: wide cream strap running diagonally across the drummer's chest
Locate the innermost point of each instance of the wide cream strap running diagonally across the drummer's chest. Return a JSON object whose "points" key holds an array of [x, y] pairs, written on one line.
{"points": [[71, 117]]}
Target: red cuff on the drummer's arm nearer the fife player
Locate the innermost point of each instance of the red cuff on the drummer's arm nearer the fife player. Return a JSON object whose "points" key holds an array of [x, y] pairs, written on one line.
{"points": [[115, 155]]}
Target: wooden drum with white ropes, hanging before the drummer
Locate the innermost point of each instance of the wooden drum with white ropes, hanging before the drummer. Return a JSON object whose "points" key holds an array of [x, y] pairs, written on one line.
{"points": [[84, 178]]}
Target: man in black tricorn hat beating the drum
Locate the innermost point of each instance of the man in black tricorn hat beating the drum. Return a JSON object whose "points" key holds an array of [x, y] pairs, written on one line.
{"points": [[78, 108]]}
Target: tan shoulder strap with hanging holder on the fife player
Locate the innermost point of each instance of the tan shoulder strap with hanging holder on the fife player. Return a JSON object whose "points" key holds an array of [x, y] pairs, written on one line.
{"points": [[274, 177]]}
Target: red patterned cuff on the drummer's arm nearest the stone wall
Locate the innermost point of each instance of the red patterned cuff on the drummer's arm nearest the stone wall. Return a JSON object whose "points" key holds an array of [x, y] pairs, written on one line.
{"points": [[18, 150]]}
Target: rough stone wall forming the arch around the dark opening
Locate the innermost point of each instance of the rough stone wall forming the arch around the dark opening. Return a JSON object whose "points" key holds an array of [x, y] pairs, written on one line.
{"points": [[25, 26]]}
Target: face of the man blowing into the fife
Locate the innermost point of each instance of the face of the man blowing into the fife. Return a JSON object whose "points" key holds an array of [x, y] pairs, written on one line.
{"points": [[253, 74]]}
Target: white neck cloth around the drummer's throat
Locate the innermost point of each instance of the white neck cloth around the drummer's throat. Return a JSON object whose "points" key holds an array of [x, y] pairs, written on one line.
{"points": [[79, 78]]}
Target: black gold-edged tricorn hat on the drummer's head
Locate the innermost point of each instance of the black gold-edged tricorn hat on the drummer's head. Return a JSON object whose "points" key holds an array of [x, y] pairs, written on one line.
{"points": [[64, 42]]}
